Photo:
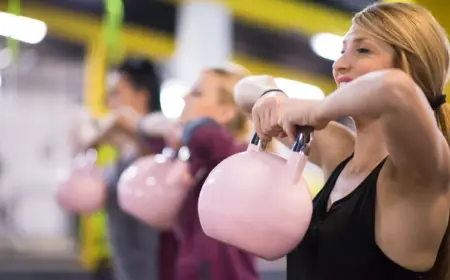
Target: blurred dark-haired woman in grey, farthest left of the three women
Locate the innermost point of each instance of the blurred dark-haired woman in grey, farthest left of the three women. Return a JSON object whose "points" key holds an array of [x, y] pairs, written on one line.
{"points": [[139, 251]]}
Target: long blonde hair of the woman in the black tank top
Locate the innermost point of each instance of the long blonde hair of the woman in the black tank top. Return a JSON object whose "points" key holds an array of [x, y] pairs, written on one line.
{"points": [[422, 51]]}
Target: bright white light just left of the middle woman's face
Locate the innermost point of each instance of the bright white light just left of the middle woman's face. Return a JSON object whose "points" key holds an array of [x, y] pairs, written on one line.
{"points": [[172, 102]]}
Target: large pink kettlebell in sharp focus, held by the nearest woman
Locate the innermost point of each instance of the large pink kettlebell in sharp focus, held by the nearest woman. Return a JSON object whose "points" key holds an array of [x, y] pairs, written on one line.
{"points": [[258, 201]]}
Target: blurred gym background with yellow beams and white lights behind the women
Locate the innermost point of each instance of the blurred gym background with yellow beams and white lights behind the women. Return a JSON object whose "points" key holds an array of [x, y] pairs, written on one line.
{"points": [[54, 59]]}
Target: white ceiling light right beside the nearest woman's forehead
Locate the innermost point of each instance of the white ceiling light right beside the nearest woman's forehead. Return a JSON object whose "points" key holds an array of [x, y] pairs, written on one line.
{"points": [[327, 45]]}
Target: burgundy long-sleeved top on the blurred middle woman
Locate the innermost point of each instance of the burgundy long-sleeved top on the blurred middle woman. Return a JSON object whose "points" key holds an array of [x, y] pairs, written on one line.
{"points": [[201, 257]]}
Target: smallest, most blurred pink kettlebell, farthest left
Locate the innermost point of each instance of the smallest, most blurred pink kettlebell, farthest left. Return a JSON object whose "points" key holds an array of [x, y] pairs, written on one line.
{"points": [[83, 191]]}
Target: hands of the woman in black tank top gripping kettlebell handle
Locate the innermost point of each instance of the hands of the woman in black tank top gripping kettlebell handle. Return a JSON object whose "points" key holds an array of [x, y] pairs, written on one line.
{"points": [[278, 116]]}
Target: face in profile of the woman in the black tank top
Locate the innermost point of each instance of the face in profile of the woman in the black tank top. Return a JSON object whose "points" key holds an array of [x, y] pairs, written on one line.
{"points": [[361, 54]]}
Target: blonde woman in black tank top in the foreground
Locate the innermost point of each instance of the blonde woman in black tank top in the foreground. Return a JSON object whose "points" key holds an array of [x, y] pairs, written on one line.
{"points": [[384, 211]]}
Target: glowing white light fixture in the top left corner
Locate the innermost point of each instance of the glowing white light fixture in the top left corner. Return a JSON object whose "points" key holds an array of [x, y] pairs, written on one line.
{"points": [[20, 28]]}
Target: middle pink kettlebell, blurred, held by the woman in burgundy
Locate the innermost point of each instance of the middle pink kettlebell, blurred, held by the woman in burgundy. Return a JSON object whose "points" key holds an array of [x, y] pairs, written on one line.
{"points": [[154, 188]]}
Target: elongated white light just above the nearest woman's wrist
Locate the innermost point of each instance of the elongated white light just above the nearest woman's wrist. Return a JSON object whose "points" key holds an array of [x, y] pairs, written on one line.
{"points": [[299, 90]]}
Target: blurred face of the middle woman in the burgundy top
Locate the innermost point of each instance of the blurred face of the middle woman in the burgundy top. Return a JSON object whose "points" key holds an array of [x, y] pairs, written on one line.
{"points": [[204, 100]]}
